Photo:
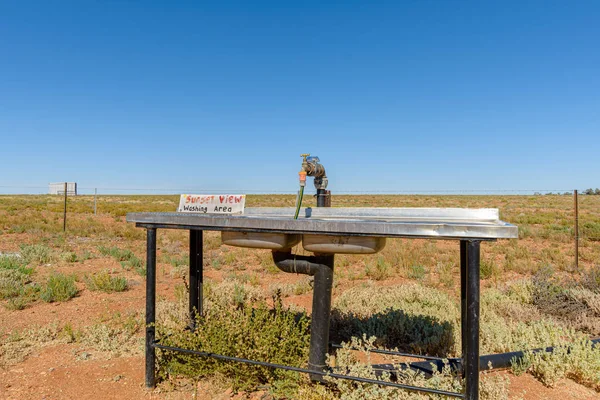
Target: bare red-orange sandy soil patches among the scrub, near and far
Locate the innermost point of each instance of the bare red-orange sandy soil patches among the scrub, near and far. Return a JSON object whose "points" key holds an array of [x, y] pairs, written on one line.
{"points": [[59, 372]]}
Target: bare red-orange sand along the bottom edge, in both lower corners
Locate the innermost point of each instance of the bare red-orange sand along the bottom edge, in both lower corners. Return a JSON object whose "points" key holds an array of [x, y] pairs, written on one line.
{"points": [[55, 373]]}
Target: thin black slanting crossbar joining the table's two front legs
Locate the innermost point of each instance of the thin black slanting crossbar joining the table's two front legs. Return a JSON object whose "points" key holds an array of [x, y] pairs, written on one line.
{"points": [[308, 371]]}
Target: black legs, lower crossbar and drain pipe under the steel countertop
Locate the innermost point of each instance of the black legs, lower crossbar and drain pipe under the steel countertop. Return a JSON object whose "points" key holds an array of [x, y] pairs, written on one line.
{"points": [[470, 290]]}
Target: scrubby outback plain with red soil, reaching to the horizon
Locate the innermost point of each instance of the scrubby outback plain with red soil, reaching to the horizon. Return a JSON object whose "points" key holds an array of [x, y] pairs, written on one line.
{"points": [[81, 293]]}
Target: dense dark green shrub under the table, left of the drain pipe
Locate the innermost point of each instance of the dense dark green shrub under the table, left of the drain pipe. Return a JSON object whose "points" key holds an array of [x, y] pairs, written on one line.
{"points": [[272, 334]]}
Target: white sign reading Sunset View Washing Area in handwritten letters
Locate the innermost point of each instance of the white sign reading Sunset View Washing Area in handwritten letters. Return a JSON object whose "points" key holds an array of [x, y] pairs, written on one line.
{"points": [[212, 203]]}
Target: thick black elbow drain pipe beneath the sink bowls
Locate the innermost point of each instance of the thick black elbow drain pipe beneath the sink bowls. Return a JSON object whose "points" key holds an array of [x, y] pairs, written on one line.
{"points": [[321, 267]]}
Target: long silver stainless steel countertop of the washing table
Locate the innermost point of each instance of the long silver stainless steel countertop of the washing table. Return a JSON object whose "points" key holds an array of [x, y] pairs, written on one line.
{"points": [[440, 223]]}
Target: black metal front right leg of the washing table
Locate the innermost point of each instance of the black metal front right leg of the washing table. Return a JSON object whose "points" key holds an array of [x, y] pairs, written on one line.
{"points": [[470, 314]]}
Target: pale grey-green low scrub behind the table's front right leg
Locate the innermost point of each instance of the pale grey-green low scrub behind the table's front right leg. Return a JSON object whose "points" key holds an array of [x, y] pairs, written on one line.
{"points": [[509, 320]]}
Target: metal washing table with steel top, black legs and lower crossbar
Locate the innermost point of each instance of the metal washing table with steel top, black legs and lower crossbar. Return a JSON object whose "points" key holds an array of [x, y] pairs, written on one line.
{"points": [[340, 226]]}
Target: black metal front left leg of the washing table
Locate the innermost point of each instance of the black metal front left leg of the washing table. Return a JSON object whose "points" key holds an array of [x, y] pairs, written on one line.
{"points": [[150, 306]]}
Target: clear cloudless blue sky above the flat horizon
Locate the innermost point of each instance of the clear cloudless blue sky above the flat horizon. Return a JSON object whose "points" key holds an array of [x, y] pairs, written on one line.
{"points": [[393, 96]]}
